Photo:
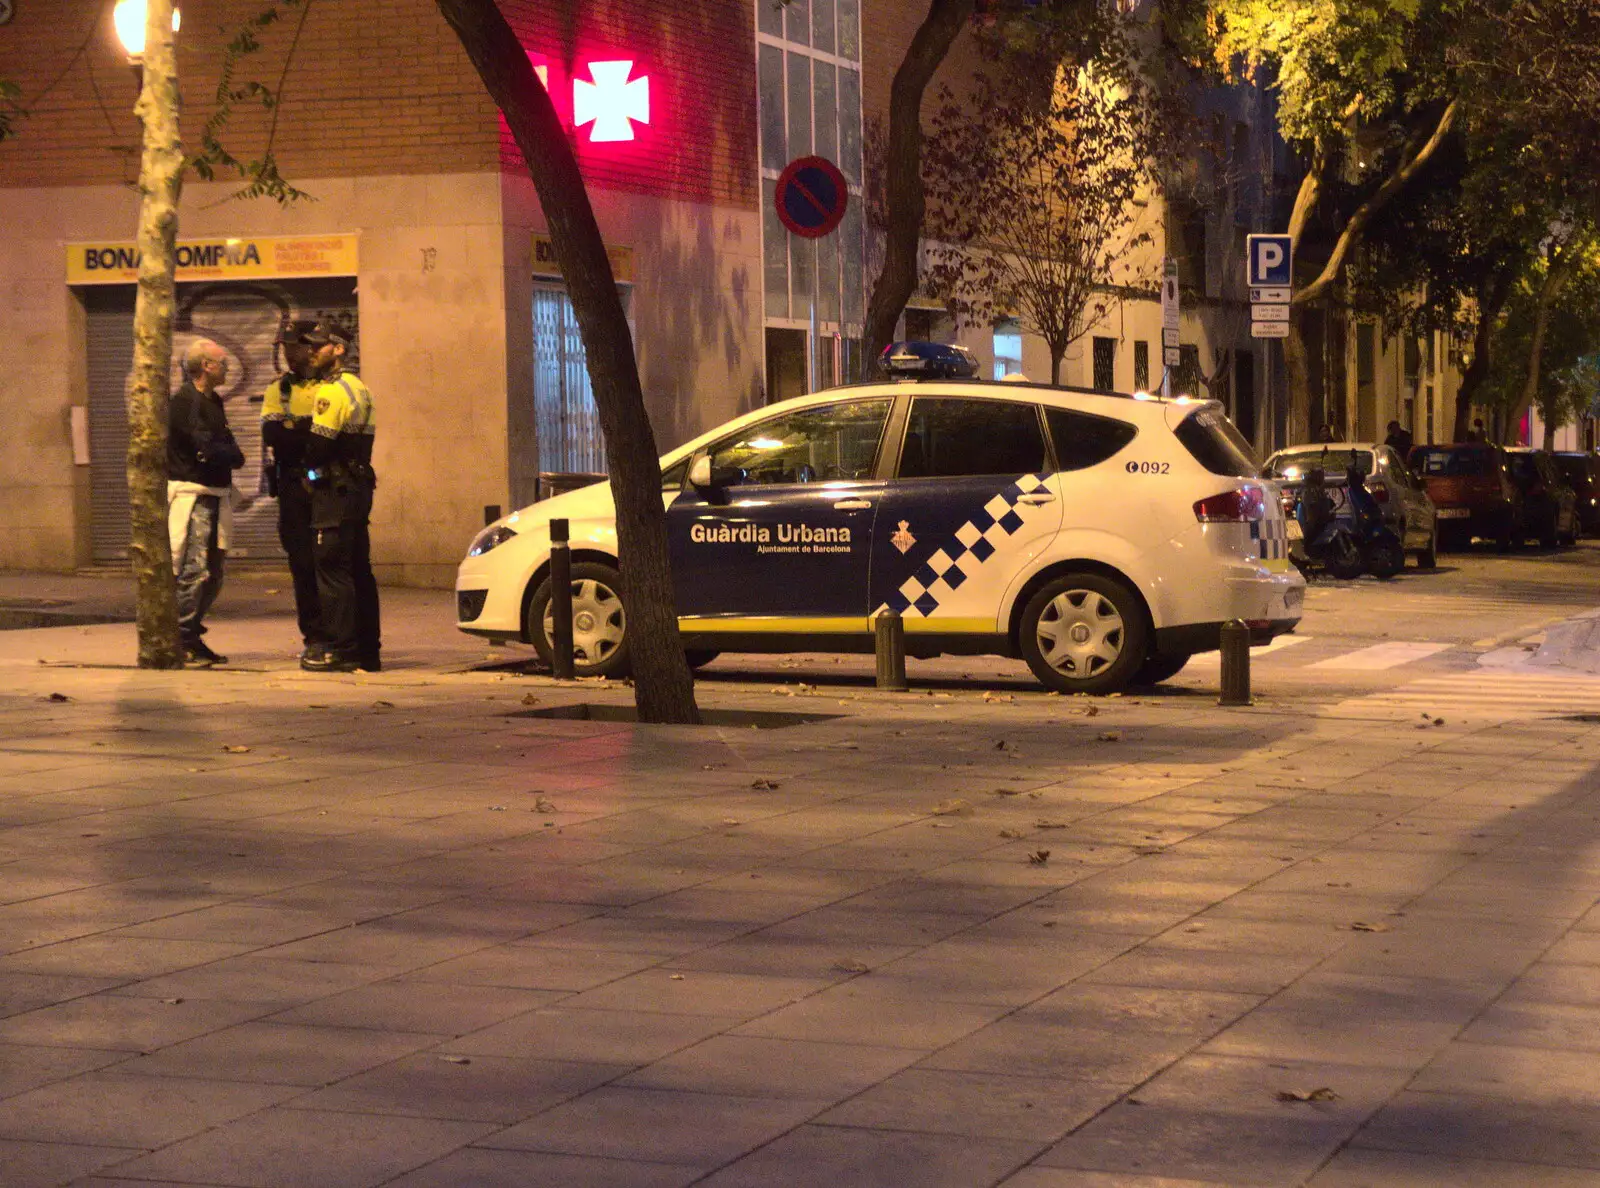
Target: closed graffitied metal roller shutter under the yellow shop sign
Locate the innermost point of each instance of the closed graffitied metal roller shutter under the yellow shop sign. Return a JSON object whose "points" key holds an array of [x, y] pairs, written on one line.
{"points": [[244, 319]]}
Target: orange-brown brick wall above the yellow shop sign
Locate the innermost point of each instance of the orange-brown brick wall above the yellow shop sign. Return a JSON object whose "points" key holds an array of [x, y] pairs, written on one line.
{"points": [[375, 87]]}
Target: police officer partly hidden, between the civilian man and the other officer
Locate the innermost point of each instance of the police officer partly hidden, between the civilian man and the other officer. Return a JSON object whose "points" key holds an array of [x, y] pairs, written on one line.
{"points": [[286, 430]]}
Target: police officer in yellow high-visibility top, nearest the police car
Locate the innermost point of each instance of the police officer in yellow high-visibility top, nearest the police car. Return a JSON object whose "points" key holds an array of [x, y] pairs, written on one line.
{"points": [[340, 475]]}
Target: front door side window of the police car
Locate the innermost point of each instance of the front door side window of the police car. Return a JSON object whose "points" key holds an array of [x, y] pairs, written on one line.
{"points": [[830, 444]]}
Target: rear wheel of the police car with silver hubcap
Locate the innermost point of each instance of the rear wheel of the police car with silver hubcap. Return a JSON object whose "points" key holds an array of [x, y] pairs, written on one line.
{"points": [[1084, 635]]}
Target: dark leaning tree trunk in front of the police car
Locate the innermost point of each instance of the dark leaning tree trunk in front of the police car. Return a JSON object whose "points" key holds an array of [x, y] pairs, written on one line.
{"points": [[663, 688]]}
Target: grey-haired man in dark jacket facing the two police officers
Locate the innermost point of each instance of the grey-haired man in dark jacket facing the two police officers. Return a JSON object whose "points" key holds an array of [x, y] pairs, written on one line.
{"points": [[201, 460]]}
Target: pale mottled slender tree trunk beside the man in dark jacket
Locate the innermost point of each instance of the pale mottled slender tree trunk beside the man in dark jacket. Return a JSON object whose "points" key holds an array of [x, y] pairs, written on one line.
{"points": [[161, 183]]}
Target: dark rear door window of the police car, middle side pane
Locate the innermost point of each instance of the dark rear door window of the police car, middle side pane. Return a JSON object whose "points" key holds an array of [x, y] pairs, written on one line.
{"points": [[953, 438]]}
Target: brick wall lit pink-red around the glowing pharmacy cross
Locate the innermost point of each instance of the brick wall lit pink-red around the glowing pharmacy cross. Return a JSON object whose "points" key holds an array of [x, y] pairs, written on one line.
{"points": [[700, 57]]}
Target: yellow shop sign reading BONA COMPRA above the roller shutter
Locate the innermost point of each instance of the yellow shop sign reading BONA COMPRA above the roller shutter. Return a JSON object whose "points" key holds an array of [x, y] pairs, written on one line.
{"points": [[220, 259]]}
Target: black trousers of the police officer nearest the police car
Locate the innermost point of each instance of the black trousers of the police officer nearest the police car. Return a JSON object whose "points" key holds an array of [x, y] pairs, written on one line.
{"points": [[345, 574]]}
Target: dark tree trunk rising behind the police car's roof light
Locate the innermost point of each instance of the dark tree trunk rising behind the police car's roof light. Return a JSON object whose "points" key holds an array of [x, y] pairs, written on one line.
{"points": [[903, 193]]}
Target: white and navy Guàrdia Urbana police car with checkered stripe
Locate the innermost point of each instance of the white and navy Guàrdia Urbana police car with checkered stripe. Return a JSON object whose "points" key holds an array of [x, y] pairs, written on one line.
{"points": [[1103, 539]]}
